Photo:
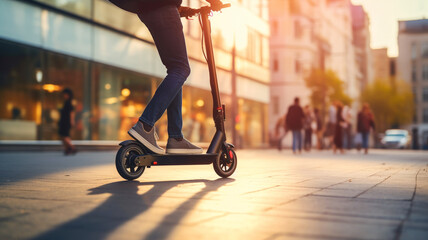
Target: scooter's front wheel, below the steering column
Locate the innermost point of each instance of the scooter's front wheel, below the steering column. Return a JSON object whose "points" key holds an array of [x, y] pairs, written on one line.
{"points": [[225, 164]]}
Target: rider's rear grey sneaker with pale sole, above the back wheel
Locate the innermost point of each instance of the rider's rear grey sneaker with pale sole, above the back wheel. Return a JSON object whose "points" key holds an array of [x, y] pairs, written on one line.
{"points": [[147, 138]]}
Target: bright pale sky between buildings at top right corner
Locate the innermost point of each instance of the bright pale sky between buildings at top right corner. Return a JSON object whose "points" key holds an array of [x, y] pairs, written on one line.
{"points": [[384, 16]]}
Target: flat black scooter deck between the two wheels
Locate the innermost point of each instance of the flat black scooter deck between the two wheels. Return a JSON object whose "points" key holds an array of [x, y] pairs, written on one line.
{"points": [[175, 159]]}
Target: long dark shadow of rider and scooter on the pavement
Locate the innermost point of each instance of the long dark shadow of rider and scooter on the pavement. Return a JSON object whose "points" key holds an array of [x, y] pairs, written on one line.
{"points": [[124, 204]]}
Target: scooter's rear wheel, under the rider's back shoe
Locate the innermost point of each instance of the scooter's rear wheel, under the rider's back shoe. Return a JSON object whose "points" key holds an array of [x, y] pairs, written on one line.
{"points": [[125, 164]]}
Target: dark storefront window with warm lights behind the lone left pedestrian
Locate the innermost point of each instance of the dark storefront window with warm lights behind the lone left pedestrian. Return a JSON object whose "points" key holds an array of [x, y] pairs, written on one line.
{"points": [[30, 94]]}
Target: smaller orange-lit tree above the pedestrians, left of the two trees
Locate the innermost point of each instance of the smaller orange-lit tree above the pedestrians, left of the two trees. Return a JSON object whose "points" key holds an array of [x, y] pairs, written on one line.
{"points": [[326, 87]]}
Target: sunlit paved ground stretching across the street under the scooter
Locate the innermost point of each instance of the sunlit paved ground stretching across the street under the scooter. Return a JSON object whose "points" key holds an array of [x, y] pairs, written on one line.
{"points": [[272, 195]]}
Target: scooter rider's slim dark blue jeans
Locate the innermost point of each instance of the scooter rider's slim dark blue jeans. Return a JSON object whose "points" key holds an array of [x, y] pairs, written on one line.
{"points": [[166, 29]]}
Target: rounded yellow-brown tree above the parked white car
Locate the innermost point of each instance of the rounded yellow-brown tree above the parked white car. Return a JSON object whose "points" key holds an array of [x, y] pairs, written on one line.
{"points": [[391, 102]]}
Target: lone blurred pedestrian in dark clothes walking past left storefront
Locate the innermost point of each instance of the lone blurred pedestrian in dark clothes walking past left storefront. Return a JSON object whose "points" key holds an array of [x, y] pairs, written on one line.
{"points": [[66, 122]]}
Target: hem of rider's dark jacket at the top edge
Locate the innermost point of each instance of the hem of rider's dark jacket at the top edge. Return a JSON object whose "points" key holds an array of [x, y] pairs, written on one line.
{"points": [[141, 6]]}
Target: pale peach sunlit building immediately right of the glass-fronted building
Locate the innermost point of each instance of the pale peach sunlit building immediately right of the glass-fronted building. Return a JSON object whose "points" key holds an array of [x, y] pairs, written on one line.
{"points": [[293, 53]]}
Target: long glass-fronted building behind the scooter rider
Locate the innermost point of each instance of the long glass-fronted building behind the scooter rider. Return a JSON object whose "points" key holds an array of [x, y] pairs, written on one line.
{"points": [[107, 57]]}
